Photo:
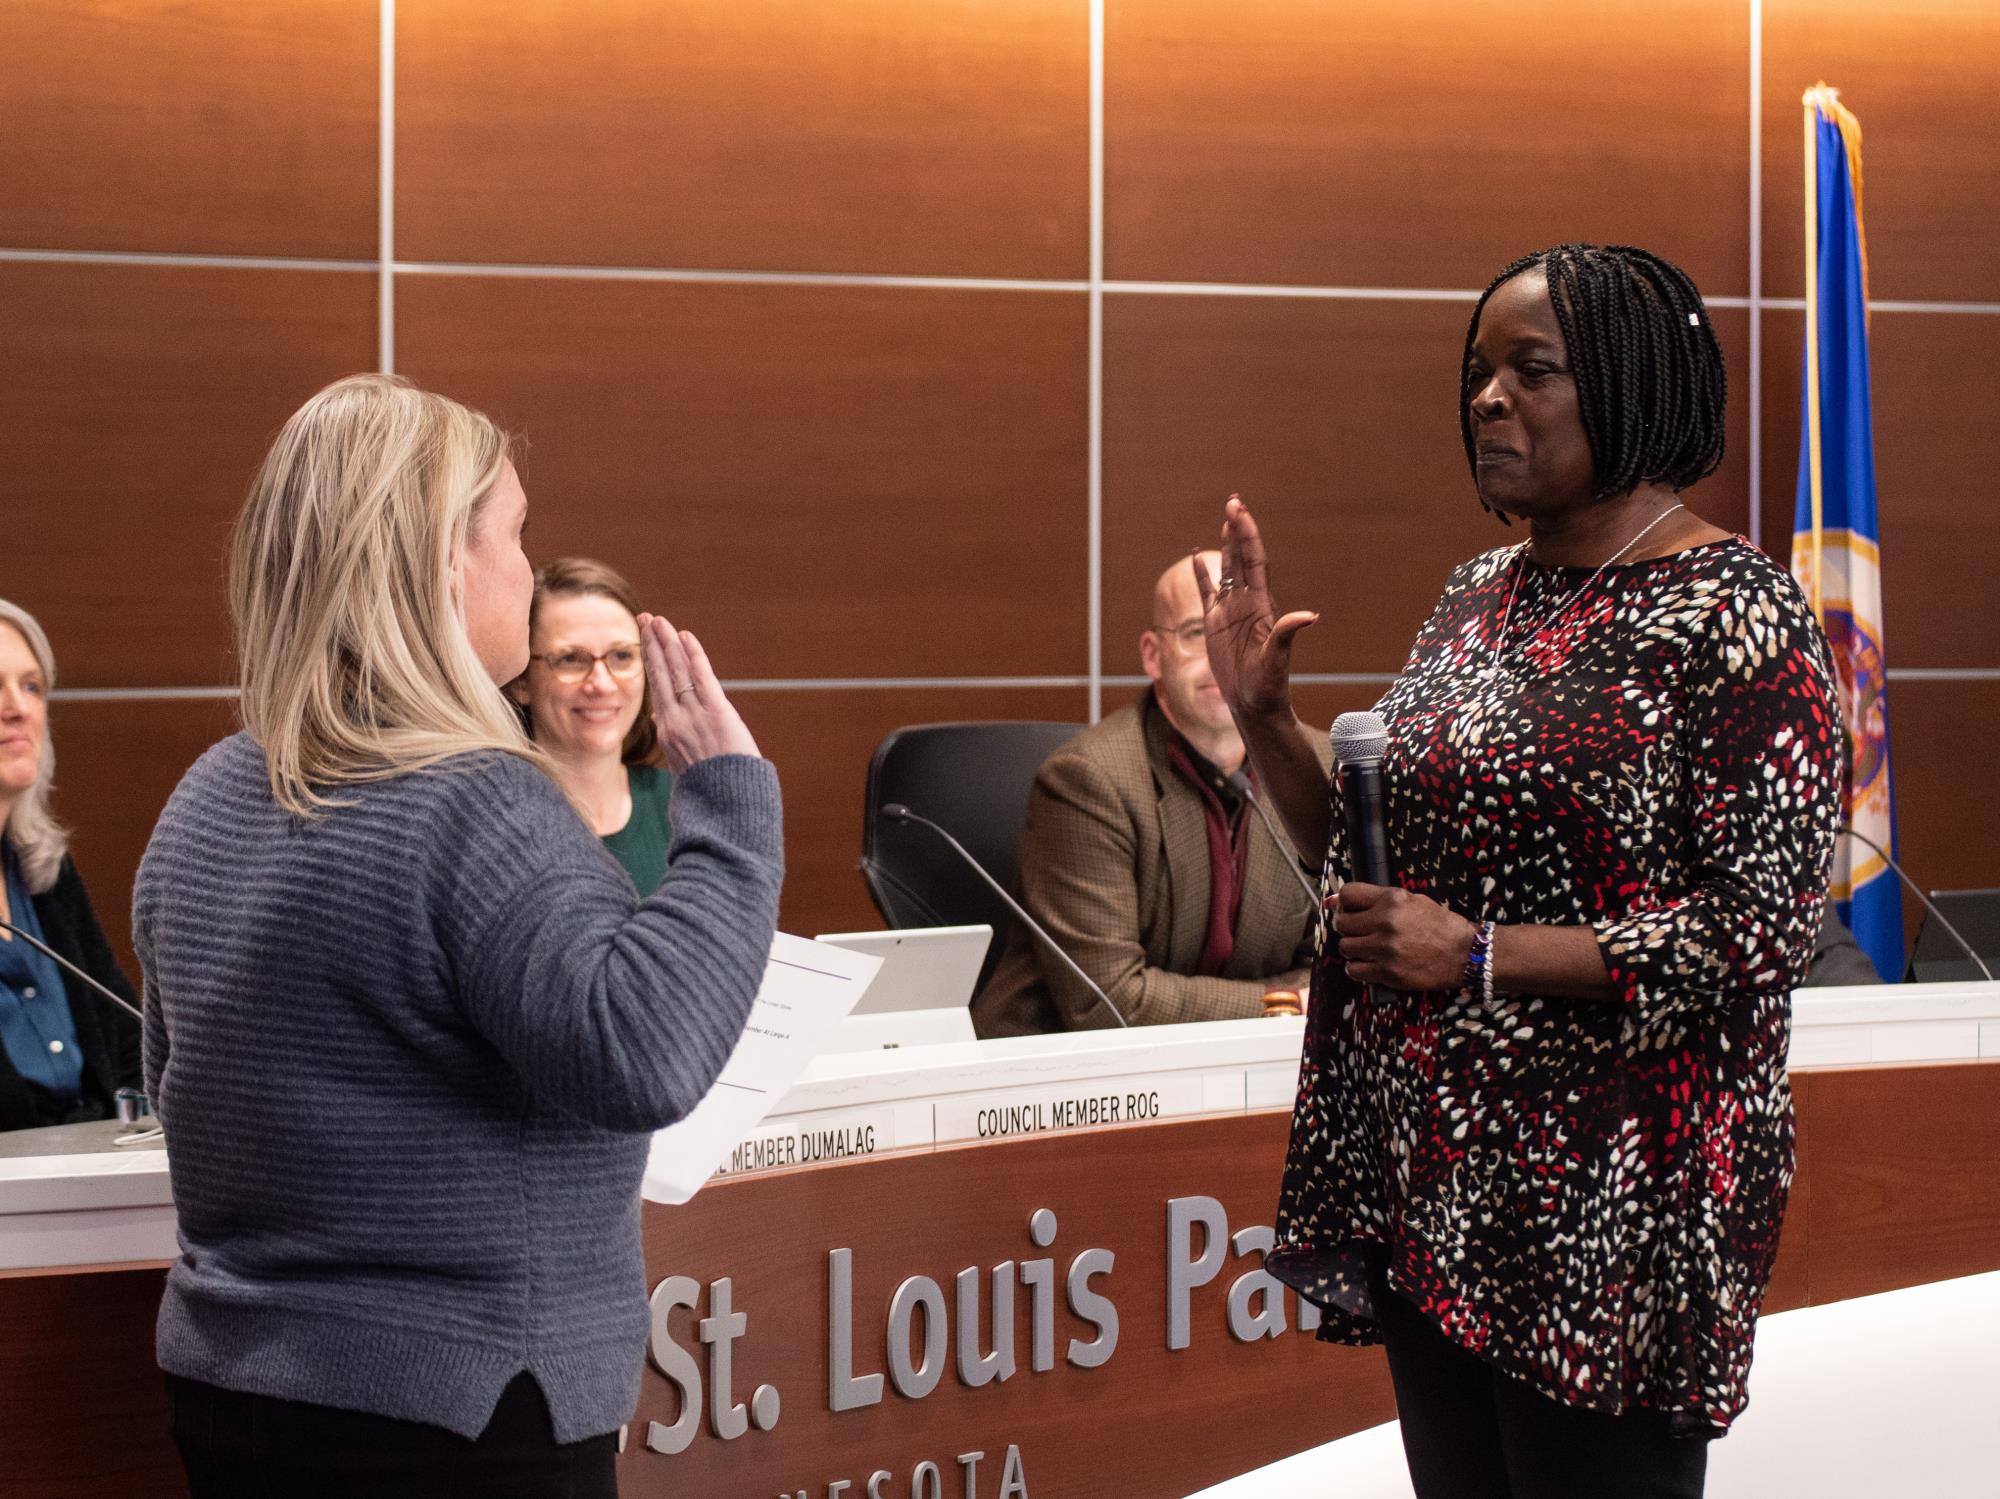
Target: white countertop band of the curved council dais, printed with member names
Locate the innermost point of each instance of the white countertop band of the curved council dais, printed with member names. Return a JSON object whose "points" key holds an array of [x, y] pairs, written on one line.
{"points": [[99, 1206]]}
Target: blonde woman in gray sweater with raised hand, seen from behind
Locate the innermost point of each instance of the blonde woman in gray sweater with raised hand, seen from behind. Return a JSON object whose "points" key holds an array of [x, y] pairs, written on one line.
{"points": [[407, 1026]]}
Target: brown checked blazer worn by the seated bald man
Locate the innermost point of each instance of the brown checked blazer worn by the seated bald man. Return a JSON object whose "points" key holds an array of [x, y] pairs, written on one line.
{"points": [[1115, 864]]}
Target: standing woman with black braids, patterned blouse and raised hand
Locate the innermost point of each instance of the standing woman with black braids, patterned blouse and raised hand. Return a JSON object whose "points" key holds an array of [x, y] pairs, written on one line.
{"points": [[1543, 1136]]}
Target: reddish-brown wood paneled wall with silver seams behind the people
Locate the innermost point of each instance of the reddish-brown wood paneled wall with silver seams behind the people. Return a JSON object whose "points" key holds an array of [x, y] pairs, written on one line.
{"points": [[795, 311]]}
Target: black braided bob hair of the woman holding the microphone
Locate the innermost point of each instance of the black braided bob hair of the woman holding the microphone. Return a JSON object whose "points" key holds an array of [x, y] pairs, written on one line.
{"points": [[1645, 361]]}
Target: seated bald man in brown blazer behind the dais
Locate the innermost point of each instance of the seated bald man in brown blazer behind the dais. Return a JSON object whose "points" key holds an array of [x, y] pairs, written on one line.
{"points": [[1147, 866]]}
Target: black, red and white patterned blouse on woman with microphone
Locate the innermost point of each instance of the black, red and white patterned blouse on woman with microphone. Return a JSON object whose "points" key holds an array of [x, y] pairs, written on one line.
{"points": [[1585, 1192]]}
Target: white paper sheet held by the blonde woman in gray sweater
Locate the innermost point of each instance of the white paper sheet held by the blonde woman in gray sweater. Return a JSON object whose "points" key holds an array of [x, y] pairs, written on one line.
{"points": [[809, 990]]}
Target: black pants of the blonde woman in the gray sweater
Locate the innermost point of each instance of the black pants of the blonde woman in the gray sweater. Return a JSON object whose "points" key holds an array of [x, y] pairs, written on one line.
{"points": [[257, 1448]]}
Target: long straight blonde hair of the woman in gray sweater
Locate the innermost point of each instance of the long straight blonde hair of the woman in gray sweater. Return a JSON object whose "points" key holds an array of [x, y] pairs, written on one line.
{"points": [[355, 659]]}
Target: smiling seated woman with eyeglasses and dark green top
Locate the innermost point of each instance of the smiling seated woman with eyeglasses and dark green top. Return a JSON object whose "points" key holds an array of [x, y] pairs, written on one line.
{"points": [[585, 701]]}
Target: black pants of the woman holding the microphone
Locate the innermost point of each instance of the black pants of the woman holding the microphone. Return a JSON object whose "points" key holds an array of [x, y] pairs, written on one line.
{"points": [[1473, 1432]]}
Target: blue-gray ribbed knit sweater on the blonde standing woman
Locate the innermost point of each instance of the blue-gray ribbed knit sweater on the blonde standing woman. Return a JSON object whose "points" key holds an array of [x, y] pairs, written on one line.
{"points": [[409, 1058]]}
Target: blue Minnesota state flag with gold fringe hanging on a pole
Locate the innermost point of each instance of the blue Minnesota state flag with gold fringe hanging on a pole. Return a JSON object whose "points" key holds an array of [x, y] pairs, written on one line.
{"points": [[1835, 537]]}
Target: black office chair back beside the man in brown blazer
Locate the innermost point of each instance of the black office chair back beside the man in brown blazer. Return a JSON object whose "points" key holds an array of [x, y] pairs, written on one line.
{"points": [[971, 778]]}
